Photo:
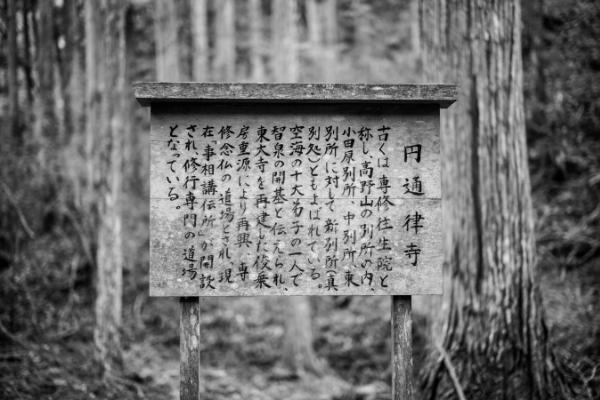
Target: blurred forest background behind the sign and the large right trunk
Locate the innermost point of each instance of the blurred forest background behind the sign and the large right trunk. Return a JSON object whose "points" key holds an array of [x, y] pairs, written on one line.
{"points": [[54, 170]]}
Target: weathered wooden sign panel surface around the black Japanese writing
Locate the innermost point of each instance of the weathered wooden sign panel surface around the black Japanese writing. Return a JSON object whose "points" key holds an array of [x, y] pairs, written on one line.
{"points": [[168, 237]]}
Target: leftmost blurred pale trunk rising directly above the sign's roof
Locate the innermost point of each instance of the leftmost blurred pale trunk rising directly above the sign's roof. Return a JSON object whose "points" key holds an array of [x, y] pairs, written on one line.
{"points": [[168, 65]]}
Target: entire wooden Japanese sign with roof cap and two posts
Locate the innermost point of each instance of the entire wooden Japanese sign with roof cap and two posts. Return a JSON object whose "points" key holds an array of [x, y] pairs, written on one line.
{"points": [[295, 189]]}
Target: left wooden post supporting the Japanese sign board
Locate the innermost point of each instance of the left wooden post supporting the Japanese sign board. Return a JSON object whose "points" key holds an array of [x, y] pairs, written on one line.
{"points": [[189, 347]]}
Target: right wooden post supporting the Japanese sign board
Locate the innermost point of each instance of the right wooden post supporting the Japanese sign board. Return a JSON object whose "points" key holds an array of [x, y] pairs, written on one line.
{"points": [[402, 368]]}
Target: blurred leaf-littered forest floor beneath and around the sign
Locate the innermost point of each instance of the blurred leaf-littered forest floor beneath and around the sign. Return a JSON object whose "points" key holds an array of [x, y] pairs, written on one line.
{"points": [[241, 338]]}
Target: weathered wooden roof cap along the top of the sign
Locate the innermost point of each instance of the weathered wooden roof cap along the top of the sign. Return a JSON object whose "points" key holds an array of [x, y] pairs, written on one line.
{"points": [[161, 92]]}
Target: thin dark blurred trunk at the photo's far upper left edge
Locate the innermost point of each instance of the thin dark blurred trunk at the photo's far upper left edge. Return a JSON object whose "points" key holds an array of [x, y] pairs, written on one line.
{"points": [[13, 88]]}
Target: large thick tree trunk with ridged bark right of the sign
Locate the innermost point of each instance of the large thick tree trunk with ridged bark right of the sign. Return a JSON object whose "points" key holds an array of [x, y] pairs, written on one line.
{"points": [[491, 321]]}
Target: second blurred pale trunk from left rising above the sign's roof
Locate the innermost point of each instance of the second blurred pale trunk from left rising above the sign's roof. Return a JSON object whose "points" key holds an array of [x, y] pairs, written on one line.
{"points": [[199, 40]]}
